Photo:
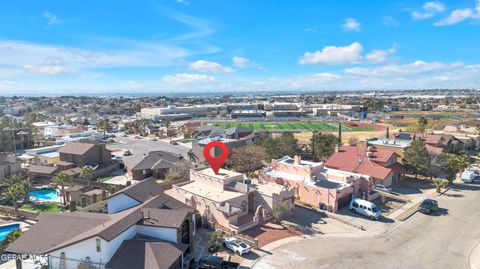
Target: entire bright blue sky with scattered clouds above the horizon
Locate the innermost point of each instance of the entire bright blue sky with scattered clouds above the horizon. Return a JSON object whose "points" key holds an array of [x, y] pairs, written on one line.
{"points": [[81, 47]]}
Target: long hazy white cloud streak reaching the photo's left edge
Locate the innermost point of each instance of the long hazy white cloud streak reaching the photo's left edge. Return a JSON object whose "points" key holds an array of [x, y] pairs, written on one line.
{"points": [[129, 53]]}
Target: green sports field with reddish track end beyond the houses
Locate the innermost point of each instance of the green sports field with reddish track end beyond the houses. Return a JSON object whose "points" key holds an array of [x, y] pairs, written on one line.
{"points": [[301, 126]]}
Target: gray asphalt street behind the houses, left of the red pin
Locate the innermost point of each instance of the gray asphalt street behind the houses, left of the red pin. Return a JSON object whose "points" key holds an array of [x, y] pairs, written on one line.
{"points": [[142, 146]]}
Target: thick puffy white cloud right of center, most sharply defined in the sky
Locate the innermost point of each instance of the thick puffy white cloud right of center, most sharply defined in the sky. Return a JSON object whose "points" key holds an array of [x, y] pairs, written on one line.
{"points": [[332, 55]]}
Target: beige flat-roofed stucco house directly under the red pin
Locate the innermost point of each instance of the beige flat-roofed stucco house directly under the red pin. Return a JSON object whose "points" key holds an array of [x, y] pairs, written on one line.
{"points": [[230, 200]]}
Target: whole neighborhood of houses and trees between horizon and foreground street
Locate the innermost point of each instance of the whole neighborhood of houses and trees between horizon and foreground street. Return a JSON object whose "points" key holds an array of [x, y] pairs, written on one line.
{"points": [[126, 183]]}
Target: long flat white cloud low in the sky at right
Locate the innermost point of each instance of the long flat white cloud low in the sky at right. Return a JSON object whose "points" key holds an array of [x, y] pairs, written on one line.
{"points": [[411, 68]]}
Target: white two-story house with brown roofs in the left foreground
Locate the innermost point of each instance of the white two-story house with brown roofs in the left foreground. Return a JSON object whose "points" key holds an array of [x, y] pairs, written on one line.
{"points": [[143, 229]]}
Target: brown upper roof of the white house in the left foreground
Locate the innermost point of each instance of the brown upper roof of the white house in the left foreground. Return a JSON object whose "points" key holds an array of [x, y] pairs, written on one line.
{"points": [[53, 232]]}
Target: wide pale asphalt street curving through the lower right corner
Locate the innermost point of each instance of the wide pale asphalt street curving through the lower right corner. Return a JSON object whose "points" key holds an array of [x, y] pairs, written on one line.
{"points": [[443, 240]]}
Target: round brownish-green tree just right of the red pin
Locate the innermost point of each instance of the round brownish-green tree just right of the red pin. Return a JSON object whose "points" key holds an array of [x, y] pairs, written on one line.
{"points": [[246, 159]]}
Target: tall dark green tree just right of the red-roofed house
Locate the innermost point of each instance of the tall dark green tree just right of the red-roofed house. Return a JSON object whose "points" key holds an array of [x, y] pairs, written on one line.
{"points": [[417, 158]]}
